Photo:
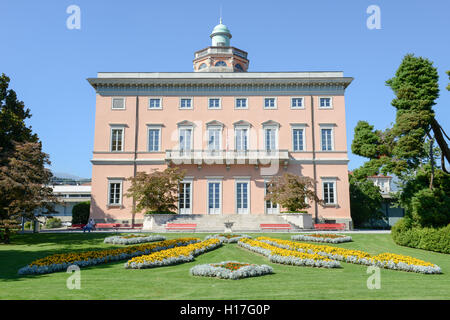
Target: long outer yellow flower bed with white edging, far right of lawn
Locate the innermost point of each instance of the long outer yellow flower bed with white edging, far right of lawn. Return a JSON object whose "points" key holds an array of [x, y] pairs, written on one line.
{"points": [[383, 260]]}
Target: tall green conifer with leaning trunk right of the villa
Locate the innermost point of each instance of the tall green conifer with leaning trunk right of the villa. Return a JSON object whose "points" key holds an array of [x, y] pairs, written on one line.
{"points": [[407, 149]]}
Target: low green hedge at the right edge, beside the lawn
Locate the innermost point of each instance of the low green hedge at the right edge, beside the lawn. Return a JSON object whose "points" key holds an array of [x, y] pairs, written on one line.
{"points": [[421, 238]]}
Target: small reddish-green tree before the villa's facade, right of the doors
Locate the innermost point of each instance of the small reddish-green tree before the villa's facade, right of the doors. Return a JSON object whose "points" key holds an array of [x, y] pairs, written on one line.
{"points": [[291, 191]]}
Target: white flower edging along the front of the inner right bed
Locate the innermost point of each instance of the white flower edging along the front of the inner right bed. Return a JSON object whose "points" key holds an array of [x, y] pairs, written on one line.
{"points": [[290, 259]]}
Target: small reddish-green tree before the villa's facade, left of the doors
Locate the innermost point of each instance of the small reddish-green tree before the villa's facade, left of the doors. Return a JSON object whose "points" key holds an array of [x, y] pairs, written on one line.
{"points": [[156, 191]]}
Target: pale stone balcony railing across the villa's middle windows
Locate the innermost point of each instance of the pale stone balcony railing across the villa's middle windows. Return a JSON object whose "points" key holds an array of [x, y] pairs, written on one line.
{"points": [[228, 157]]}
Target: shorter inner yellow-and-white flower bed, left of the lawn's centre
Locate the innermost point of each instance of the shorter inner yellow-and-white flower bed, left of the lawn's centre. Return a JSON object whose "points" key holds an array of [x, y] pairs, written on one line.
{"points": [[172, 256]]}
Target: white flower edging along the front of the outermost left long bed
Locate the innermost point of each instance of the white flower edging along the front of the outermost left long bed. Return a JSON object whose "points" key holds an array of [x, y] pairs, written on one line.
{"points": [[91, 262]]}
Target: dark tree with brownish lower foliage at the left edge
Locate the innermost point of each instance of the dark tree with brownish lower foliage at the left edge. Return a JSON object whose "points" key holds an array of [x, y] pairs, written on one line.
{"points": [[23, 176]]}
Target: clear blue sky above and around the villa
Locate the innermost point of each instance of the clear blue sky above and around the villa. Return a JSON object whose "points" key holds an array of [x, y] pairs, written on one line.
{"points": [[48, 64]]}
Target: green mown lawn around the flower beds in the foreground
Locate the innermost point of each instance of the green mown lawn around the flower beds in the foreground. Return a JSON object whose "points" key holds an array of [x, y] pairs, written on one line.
{"points": [[113, 281]]}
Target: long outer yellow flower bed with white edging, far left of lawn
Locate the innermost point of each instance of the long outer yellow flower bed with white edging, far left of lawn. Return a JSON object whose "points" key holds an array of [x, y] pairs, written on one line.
{"points": [[60, 262]]}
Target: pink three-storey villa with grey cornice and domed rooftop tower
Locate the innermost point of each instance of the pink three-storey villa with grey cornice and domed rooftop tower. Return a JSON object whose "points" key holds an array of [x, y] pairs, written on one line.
{"points": [[231, 130]]}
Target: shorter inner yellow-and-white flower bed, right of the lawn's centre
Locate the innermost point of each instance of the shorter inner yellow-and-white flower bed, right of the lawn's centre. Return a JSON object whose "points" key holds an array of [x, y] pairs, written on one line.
{"points": [[284, 256]]}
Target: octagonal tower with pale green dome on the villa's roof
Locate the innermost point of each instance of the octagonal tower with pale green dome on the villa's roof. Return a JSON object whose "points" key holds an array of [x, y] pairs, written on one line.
{"points": [[220, 56]]}
